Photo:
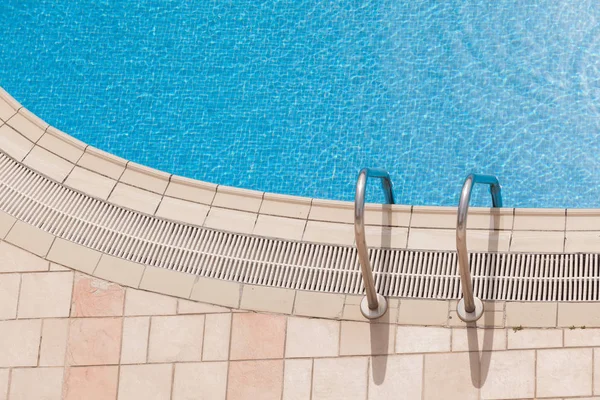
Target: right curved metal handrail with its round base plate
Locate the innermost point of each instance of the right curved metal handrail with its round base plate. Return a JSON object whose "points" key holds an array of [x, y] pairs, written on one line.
{"points": [[470, 308]]}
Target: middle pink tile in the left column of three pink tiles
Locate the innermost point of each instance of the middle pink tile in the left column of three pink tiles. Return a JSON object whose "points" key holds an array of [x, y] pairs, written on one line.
{"points": [[94, 341]]}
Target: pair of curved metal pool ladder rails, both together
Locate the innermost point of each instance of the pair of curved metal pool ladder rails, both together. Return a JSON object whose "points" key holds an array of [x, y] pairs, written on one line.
{"points": [[374, 305]]}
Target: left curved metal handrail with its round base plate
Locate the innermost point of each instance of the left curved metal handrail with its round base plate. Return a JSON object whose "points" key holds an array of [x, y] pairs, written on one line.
{"points": [[373, 305]]}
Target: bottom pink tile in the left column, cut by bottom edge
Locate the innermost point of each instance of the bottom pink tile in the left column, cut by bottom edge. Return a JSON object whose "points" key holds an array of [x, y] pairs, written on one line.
{"points": [[91, 383]]}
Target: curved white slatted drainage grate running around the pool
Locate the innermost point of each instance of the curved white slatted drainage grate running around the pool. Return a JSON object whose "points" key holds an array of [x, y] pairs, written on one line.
{"points": [[149, 240]]}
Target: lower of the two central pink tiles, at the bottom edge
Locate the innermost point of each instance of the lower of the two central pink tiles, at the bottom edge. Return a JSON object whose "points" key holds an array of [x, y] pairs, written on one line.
{"points": [[255, 380]]}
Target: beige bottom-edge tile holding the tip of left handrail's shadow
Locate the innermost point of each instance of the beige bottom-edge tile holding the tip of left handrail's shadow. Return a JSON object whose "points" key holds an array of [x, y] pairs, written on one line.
{"points": [[394, 375]]}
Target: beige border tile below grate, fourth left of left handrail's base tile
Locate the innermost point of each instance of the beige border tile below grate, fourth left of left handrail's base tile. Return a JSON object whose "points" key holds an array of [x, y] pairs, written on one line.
{"points": [[166, 281]]}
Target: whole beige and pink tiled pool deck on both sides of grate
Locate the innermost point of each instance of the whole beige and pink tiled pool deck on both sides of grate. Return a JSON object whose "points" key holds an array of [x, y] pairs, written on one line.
{"points": [[83, 324]]}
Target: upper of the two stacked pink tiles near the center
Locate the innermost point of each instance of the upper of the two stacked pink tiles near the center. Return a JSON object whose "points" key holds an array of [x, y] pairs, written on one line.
{"points": [[257, 336]]}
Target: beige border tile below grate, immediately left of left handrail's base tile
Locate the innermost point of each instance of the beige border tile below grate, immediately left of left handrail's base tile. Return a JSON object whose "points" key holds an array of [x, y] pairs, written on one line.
{"points": [[316, 304]]}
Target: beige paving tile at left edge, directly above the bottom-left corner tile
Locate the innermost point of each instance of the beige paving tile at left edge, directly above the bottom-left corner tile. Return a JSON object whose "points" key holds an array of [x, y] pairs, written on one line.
{"points": [[20, 342]]}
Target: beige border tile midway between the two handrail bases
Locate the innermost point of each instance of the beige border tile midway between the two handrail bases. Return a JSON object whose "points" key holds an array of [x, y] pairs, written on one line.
{"points": [[423, 312]]}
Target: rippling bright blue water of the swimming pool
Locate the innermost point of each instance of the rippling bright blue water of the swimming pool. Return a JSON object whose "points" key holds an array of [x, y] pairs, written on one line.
{"points": [[296, 96]]}
